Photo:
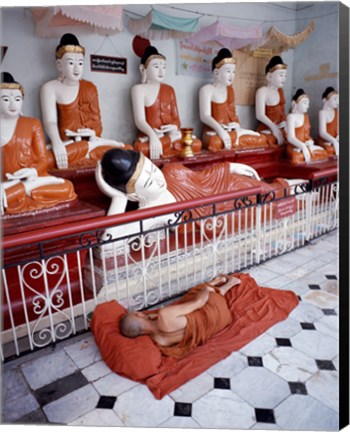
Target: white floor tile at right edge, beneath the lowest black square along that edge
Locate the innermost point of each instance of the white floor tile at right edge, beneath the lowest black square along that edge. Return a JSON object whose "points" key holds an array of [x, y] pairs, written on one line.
{"points": [[324, 386]]}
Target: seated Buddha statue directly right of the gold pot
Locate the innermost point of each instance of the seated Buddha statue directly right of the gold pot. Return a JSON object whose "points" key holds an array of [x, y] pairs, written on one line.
{"points": [[222, 129]]}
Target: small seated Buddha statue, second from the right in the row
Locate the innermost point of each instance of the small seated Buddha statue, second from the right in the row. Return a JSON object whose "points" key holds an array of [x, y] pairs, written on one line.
{"points": [[301, 147]]}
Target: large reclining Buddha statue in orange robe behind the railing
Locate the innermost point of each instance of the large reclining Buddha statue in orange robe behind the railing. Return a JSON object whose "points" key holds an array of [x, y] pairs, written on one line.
{"points": [[126, 175]]}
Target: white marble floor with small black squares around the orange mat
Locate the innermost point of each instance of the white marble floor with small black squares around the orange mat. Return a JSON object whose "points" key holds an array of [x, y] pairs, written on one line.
{"points": [[285, 379]]}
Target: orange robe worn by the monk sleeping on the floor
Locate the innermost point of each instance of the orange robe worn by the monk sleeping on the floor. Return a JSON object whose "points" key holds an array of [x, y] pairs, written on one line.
{"points": [[202, 323]]}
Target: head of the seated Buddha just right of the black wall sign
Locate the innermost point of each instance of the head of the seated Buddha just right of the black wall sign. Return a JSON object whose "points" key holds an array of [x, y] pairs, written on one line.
{"points": [[153, 65]]}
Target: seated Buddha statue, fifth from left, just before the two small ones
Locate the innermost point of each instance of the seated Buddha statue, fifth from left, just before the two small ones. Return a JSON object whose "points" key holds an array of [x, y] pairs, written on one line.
{"points": [[270, 102]]}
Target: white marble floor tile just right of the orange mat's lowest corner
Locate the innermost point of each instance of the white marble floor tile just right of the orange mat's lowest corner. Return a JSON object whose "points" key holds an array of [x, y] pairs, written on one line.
{"points": [[193, 389]]}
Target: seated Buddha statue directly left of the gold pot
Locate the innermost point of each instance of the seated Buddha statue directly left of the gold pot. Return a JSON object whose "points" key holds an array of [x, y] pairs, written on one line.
{"points": [[155, 110]]}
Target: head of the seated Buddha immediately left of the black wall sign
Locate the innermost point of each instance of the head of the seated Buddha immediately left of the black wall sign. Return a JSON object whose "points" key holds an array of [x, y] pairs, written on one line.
{"points": [[70, 59]]}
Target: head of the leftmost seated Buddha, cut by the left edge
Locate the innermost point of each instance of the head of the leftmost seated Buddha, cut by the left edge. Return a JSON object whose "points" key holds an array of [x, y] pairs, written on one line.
{"points": [[12, 94]]}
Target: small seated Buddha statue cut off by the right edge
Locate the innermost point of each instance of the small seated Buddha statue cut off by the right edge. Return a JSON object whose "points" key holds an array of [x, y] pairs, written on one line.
{"points": [[328, 130]]}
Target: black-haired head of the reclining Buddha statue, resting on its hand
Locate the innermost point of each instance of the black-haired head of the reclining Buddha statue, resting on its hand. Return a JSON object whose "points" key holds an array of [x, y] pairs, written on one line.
{"points": [[133, 174]]}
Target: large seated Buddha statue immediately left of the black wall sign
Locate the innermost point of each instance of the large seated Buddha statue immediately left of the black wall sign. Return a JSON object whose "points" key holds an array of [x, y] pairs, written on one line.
{"points": [[71, 113]]}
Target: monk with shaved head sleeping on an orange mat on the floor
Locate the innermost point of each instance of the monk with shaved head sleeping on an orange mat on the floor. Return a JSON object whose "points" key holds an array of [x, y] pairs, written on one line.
{"points": [[179, 328]]}
